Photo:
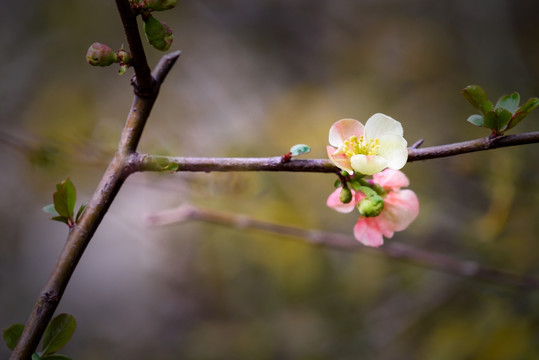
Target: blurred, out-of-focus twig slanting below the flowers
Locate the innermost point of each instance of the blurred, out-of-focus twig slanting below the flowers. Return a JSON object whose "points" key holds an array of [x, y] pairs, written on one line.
{"points": [[393, 250]]}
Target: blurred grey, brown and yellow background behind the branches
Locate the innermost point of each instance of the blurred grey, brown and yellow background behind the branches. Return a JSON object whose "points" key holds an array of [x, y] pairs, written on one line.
{"points": [[254, 78]]}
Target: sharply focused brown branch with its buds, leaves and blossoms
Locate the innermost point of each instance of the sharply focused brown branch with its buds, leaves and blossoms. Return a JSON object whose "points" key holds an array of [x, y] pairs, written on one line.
{"points": [[375, 149]]}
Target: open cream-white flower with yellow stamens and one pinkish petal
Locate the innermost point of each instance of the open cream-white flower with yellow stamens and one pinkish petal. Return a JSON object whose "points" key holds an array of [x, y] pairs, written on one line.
{"points": [[367, 149]]}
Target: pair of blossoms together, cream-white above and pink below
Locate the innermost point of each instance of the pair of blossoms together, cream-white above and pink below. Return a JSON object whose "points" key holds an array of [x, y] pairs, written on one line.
{"points": [[376, 149]]}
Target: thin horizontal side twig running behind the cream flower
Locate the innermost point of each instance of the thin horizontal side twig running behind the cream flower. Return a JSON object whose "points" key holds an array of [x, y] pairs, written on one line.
{"points": [[146, 162]]}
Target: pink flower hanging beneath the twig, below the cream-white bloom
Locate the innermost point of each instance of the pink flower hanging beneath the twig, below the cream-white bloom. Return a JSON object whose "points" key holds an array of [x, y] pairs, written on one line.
{"points": [[401, 207]]}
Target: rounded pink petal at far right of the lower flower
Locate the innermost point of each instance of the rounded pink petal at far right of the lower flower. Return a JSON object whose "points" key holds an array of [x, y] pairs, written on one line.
{"points": [[400, 209]]}
